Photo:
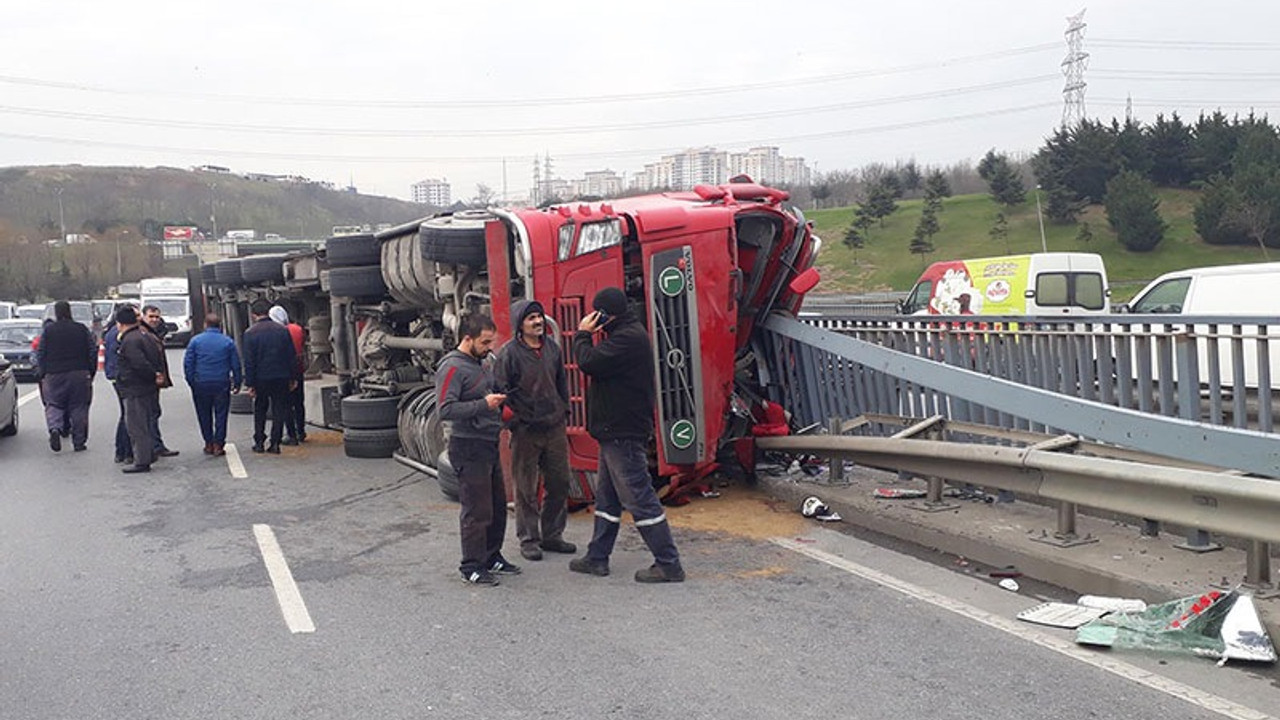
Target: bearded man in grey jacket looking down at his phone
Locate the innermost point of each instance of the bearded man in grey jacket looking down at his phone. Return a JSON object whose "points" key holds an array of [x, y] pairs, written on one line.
{"points": [[468, 402]]}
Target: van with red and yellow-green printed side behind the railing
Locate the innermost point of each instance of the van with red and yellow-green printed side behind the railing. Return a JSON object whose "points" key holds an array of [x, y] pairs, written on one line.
{"points": [[1044, 284]]}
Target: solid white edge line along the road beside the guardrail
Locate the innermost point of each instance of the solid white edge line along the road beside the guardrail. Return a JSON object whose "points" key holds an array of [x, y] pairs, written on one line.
{"points": [[1133, 673]]}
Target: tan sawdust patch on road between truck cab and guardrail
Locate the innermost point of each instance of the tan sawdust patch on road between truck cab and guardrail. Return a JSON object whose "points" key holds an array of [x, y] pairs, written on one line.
{"points": [[739, 512]]}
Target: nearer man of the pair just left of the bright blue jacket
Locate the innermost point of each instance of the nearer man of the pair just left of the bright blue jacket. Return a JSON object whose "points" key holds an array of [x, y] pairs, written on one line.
{"points": [[139, 377]]}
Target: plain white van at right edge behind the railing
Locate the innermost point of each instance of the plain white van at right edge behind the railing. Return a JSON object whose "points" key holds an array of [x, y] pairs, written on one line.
{"points": [[1220, 291]]}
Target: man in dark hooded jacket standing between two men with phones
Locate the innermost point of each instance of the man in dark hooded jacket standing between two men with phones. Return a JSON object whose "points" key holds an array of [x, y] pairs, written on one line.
{"points": [[531, 370]]}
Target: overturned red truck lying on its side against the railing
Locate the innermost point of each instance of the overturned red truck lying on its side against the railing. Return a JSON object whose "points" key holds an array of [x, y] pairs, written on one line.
{"points": [[702, 270]]}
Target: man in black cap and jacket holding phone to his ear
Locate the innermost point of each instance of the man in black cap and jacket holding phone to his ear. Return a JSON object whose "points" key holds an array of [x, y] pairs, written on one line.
{"points": [[620, 411]]}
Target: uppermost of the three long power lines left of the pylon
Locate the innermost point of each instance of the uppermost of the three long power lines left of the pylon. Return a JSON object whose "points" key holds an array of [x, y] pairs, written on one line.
{"points": [[529, 102]]}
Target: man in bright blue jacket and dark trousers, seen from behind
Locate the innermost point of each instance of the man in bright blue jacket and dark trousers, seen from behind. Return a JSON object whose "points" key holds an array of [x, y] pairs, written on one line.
{"points": [[213, 372]]}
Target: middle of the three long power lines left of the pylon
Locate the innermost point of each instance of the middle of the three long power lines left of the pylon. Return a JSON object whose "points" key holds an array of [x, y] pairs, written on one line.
{"points": [[522, 131]]}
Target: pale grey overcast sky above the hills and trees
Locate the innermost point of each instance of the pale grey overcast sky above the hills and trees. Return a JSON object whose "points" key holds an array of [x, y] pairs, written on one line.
{"points": [[387, 94]]}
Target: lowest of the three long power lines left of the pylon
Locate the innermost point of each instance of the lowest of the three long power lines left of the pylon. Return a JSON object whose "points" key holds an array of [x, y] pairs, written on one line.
{"points": [[391, 160]]}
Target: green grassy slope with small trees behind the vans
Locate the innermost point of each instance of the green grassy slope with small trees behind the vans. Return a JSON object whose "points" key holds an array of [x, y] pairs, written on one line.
{"points": [[967, 220]]}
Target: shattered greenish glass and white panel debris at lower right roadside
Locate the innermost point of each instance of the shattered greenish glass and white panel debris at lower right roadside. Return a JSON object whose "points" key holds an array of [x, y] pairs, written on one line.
{"points": [[1215, 625]]}
